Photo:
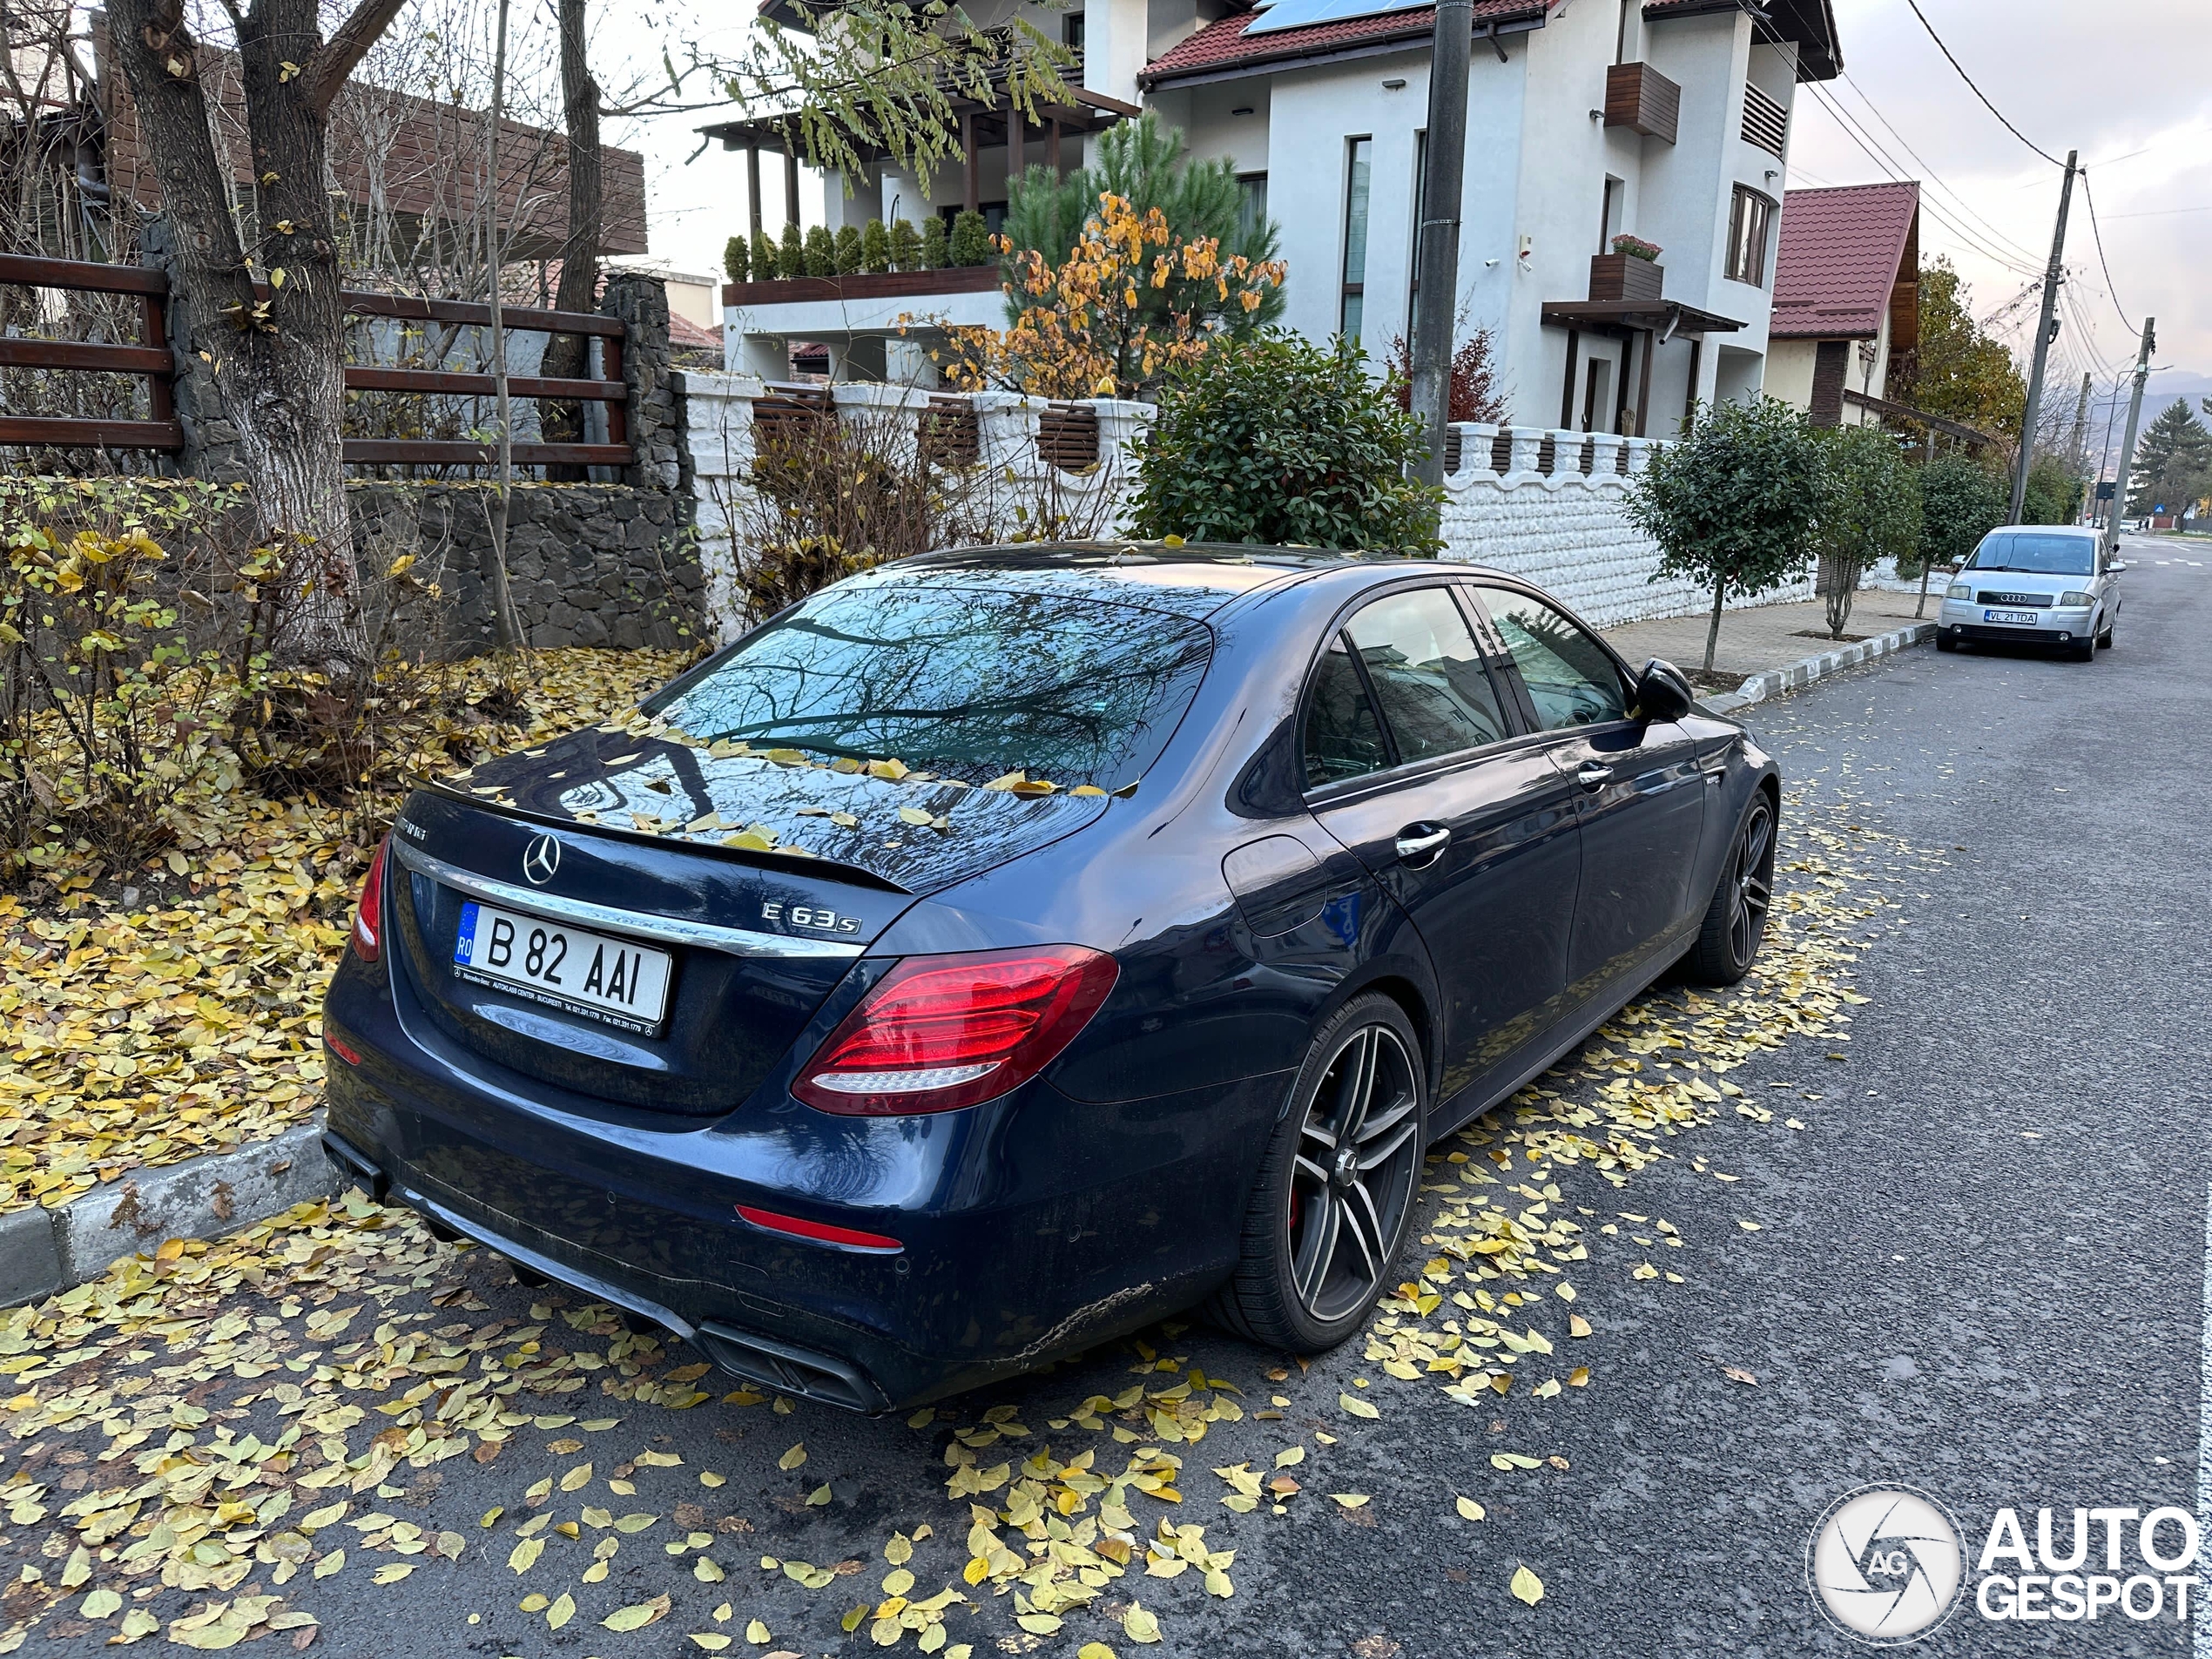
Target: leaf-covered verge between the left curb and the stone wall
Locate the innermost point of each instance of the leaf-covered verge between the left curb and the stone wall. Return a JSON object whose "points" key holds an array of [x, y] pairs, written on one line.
{"points": [[185, 1014]]}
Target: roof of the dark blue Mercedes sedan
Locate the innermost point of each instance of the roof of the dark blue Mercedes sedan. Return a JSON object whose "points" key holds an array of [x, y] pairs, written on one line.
{"points": [[1191, 578]]}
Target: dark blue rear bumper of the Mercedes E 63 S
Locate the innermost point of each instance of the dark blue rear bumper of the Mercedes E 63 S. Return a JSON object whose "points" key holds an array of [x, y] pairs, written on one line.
{"points": [[1030, 1229]]}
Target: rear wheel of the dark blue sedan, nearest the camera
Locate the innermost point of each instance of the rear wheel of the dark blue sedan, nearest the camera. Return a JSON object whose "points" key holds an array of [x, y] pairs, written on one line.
{"points": [[1331, 1209]]}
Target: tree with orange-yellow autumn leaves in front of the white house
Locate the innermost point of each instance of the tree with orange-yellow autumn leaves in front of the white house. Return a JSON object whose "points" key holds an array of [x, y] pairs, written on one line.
{"points": [[1129, 304]]}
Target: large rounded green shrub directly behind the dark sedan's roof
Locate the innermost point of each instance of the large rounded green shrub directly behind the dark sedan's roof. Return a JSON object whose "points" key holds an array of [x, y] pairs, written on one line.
{"points": [[1284, 444]]}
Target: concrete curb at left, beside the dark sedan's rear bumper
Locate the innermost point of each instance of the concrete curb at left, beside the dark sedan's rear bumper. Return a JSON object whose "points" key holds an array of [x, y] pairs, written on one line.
{"points": [[205, 1198]]}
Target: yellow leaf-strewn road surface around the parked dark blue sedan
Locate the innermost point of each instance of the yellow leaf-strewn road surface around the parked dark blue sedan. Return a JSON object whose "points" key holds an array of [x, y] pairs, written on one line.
{"points": [[333, 1415]]}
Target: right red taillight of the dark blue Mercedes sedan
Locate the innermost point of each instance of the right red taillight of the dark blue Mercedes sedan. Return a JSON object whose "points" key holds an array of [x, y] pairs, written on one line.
{"points": [[943, 1032]]}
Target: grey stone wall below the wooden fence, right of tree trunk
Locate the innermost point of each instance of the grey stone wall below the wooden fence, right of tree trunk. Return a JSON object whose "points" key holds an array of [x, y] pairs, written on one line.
{"points": [[587, 565]]}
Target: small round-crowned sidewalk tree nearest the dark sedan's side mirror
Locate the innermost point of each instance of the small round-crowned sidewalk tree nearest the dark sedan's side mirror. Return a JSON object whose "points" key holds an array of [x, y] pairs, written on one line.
{"points": [[1735, 503]]}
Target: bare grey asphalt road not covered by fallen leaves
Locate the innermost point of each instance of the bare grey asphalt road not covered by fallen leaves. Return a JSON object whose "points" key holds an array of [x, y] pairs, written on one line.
{"points": [[1979, 1271]]}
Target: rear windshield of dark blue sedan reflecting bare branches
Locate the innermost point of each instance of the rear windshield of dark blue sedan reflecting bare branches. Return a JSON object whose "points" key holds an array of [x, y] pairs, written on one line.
{"points": [[959, 678]]}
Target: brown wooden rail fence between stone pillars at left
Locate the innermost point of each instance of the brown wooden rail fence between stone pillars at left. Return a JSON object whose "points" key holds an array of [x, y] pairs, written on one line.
{"points": [[163, 432]]}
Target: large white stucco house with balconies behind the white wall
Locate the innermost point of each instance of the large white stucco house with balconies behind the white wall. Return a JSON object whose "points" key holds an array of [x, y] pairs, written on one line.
{"points": [[1667, 121]]}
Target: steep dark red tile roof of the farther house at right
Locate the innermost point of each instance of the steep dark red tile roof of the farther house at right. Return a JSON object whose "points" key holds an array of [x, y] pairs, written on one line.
{"points": [[1841, 255]]}
